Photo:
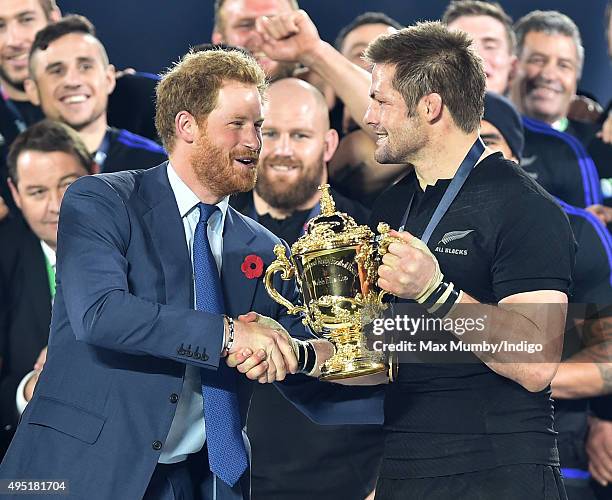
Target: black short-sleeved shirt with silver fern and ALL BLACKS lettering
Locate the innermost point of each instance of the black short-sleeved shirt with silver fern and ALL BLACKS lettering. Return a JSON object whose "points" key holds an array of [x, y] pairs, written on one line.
{"points": [[443, 419]]}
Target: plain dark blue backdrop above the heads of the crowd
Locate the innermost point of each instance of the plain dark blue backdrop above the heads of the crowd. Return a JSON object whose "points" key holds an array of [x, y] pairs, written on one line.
{"points": [[149, 34]]}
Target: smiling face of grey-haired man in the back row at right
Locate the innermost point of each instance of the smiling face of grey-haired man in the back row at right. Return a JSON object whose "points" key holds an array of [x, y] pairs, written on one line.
{"points": [[547, 76]]}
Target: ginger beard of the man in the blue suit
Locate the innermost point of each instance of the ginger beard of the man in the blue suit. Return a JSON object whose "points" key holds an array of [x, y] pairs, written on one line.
{"points": [[214, 168]]}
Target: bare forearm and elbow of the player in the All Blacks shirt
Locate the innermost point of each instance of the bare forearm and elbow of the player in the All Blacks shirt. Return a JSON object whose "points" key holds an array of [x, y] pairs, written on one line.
{"points": [[505, 322]]}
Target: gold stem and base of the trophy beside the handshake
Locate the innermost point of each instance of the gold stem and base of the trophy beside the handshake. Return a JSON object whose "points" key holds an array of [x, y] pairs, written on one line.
{"points": [[352, 358]]}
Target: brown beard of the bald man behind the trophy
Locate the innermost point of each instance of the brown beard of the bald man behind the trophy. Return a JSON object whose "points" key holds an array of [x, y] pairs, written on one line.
{"points": [[289, 195]]}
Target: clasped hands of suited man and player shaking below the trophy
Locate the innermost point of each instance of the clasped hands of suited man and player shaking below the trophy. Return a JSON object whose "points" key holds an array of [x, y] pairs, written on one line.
{"points": [[264, 351]]}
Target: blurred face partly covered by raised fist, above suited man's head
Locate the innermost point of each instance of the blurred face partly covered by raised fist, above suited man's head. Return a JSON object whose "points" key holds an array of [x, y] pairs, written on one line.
{"points": [[238, 28]]}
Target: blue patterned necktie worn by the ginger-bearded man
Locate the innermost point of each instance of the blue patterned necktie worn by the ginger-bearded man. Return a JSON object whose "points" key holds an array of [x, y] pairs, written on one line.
{"points": [[227, 455]]}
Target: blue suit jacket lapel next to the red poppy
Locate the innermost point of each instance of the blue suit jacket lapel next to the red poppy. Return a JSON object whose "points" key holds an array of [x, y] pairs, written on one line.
{"points": [[238, 290]]}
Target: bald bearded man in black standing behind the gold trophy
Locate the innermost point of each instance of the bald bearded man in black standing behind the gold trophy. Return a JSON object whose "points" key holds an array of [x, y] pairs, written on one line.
{"points": [[297, 144]]}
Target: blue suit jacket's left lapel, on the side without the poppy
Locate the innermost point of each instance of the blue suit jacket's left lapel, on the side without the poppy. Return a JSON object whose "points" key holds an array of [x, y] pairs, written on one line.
{"points": [[168, 235]]}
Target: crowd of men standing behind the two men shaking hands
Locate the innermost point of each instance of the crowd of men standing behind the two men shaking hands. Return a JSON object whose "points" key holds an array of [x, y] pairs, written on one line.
{"points": [[66, 112]]}
